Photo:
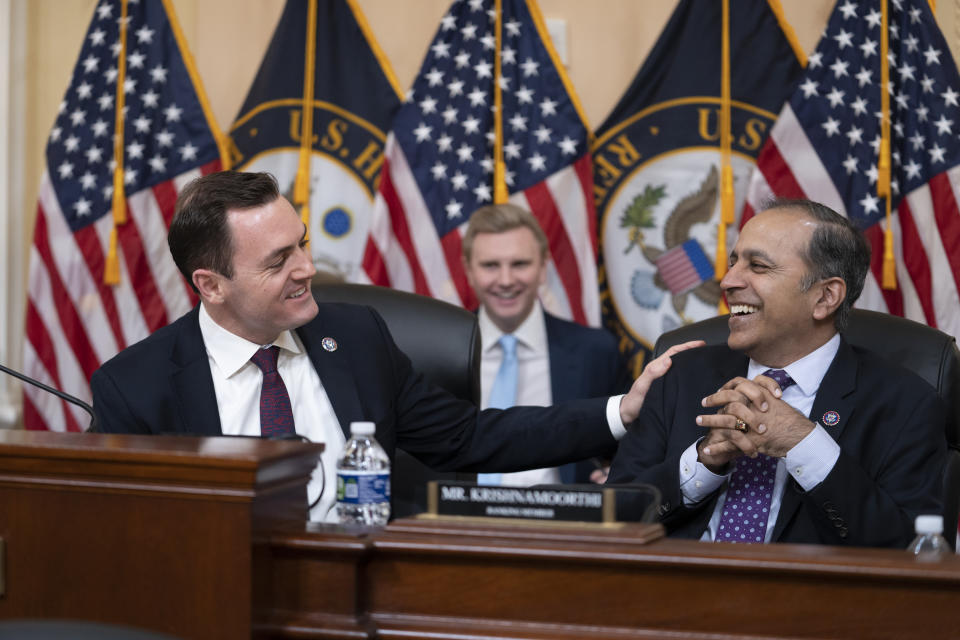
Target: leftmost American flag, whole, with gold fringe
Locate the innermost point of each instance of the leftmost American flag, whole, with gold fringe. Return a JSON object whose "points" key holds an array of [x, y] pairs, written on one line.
{"points": [[75, 321]]}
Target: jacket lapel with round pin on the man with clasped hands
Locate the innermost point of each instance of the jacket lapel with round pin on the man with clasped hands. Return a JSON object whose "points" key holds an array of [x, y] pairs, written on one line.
{"points": [[835, 396]]}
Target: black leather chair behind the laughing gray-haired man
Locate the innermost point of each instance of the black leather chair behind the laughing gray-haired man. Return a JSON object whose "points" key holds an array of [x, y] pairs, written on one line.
{"points": [[931, 354]]}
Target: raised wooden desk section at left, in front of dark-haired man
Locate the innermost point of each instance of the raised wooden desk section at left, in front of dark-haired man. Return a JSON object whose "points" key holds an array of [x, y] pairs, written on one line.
{"points": [[153, 532]]}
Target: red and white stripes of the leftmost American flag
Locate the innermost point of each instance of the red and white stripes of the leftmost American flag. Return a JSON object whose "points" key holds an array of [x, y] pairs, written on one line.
{"points": [[74, 321]]}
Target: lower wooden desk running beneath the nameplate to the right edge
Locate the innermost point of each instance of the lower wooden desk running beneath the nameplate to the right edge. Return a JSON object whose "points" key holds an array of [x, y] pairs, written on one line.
{"points": [[428, 579]]}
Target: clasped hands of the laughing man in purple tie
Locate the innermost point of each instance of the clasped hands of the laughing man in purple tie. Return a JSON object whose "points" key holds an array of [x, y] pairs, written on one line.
{"points": [[752, 419]]}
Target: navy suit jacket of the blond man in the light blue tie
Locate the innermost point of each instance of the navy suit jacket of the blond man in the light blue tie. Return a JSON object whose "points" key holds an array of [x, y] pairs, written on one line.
{"points": [[584, 363]]}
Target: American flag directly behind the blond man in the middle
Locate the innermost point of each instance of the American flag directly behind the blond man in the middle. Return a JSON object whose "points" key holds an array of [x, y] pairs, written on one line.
{"points": [[439, 164]]}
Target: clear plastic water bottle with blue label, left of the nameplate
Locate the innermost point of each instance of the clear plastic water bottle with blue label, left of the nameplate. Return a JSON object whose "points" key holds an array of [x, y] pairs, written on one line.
{"points": [[363, 479]]}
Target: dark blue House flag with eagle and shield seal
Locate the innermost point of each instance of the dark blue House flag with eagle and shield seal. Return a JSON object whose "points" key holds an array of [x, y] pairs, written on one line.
{"points": [[657, 163]]}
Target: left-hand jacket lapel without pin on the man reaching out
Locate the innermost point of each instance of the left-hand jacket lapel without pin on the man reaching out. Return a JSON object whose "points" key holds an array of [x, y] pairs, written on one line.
{"points": [[191, 380]]}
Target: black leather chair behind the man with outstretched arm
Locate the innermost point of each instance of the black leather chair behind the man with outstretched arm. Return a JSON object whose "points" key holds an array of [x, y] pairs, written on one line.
{"points": [[443, 343]]}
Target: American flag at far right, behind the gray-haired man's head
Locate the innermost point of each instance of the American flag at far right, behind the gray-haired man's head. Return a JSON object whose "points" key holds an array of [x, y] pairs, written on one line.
{"points": [[825, 145]]}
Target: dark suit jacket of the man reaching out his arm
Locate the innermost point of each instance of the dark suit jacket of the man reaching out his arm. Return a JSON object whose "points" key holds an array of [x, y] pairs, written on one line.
{"points": [[163, 385]]}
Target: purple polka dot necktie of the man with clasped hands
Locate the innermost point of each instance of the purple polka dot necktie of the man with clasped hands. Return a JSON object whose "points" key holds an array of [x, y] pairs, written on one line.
{"points": [[750, 490]]}
